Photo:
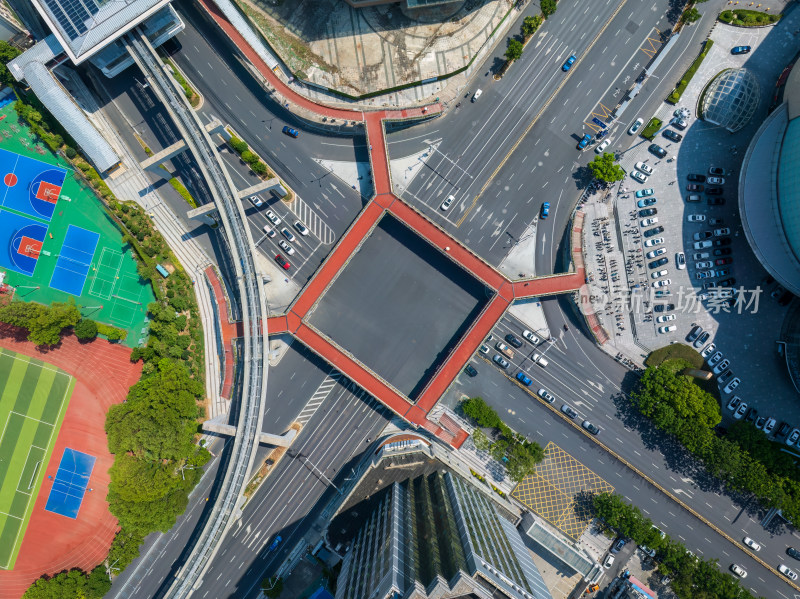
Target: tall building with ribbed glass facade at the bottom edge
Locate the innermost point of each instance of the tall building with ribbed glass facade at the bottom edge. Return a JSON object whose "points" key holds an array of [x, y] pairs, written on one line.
{"points": [[437, 536]]}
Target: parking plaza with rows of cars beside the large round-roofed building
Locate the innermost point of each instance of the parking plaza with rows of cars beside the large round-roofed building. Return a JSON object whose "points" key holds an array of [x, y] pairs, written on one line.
{"points": [[744, 327]]}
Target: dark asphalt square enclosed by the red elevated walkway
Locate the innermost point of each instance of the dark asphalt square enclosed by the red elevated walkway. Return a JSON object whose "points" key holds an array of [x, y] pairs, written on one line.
{"points": [[399, 306]]}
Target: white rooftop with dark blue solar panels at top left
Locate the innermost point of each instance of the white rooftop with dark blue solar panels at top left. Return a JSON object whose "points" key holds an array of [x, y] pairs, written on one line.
{"points": [[84, 27]]}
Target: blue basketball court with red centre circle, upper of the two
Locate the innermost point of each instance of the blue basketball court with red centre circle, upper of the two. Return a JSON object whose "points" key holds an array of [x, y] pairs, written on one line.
{"points": [[20, 181]]}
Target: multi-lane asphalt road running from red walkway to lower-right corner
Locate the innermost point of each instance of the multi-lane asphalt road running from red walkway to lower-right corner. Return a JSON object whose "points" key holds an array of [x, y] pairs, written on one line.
{"points": [[584, 377]]}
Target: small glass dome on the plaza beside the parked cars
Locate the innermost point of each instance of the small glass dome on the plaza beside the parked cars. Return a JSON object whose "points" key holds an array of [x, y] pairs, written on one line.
{"points": [[731, 99]]}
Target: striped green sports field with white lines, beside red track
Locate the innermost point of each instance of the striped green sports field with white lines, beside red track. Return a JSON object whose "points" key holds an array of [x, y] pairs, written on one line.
{"points": [[33, 400]]}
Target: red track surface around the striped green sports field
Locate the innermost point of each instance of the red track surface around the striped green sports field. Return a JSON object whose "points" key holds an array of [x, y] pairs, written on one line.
{"points": [[103, 373]]}
